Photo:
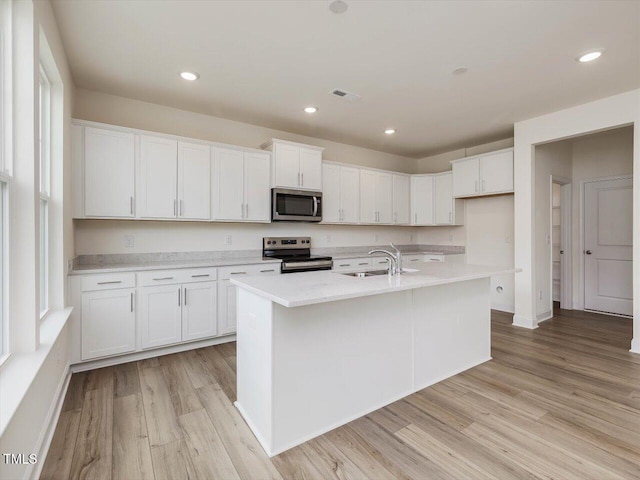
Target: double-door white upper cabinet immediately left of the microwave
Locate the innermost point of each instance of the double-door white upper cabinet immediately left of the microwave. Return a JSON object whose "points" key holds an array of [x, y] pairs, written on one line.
{"points": [[241, 185]]}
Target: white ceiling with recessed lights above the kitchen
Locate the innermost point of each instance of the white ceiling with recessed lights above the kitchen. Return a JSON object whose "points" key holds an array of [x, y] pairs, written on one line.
{"points": [[261, 62]]}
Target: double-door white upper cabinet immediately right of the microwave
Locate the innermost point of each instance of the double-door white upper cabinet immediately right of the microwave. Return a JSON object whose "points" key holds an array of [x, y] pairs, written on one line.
{"points": [[340, 194]]}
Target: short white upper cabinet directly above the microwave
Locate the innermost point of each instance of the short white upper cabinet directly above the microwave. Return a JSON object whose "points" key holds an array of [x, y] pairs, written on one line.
{"points": [[295, 165]]}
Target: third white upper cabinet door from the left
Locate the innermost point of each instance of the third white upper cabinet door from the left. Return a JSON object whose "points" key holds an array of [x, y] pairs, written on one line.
{"points": [[194, 181]]}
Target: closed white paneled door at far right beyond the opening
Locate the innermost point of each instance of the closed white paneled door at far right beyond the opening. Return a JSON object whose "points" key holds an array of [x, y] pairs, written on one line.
{"points": [[608, 227]]}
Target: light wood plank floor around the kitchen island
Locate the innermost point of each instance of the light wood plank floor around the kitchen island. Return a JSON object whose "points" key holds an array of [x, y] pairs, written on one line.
{"points": [[560, 402]]}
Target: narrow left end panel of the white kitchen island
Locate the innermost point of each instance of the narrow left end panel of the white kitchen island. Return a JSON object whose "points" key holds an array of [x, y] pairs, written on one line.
{"points": [[254, 364]]}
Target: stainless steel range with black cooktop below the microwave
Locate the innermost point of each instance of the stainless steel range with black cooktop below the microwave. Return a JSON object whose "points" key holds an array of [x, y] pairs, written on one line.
{"points": [[295, 253]]}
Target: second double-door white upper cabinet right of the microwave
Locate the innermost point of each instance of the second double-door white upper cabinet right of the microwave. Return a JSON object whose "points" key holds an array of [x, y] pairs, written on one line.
{"points": [[376, 197]]}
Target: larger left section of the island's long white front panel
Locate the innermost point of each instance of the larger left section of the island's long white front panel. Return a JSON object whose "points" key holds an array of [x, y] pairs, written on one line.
{"points": [[337, 361]]}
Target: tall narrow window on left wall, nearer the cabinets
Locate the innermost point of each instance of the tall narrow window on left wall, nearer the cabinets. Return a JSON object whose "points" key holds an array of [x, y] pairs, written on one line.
{"points": [[45, 163]]}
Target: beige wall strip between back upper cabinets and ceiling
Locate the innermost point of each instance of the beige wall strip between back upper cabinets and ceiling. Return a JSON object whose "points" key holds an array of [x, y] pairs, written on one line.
{"points": [[101, 107]]}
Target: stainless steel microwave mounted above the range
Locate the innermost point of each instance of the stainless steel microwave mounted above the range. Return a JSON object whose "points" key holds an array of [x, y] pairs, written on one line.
{"points": [[295, 205]]}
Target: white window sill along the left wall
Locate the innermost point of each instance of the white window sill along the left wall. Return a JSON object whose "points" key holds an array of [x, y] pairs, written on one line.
{"points": [[19, 371]]}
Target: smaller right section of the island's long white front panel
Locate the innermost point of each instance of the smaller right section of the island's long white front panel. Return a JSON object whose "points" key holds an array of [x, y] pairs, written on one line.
{"points": [[452, 329]]}
